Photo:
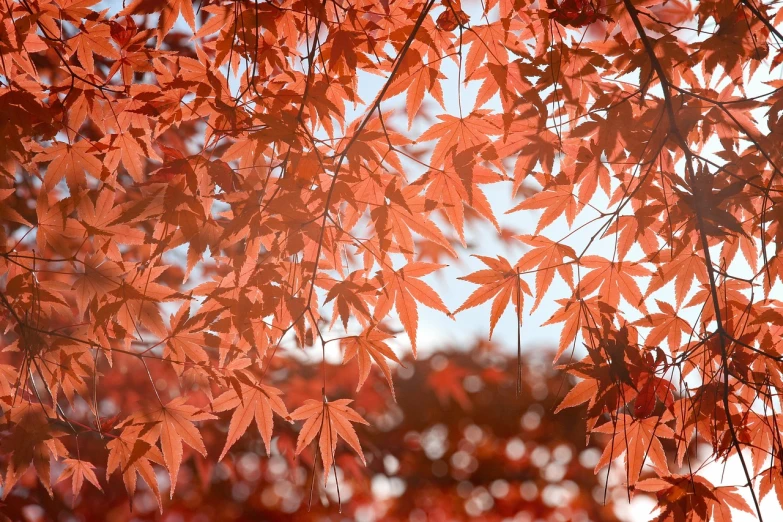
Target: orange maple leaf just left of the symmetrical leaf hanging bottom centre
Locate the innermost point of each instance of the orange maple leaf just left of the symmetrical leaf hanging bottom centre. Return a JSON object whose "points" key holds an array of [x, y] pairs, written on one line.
{"points": [[250, 401]]}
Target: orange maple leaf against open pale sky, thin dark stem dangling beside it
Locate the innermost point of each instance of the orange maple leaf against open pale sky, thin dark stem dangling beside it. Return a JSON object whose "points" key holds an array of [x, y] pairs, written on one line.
{"points": [[500, 281]]}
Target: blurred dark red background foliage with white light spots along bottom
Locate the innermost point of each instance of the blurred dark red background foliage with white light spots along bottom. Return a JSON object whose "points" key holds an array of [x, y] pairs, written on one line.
{"points": [[456, 444]]}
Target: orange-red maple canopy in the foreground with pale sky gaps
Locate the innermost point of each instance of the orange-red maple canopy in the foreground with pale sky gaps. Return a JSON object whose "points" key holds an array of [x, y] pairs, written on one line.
{"points": [[191, 198]]}
